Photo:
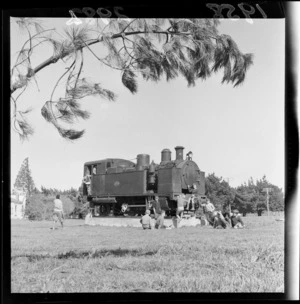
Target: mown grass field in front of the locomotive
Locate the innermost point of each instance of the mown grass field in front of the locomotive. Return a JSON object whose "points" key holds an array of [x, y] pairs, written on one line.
{"points": [[83, 258]]}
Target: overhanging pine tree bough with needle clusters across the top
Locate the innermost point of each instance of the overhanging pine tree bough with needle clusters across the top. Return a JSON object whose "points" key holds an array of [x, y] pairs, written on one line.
{"points": [[151, 48]]}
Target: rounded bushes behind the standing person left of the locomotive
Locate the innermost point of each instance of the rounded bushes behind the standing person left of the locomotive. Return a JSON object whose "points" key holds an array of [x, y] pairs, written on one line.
{"points": [[40, 207]]}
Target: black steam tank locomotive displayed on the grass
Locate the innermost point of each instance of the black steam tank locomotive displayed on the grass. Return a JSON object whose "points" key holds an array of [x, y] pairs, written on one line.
{"points": [[119, 186]]}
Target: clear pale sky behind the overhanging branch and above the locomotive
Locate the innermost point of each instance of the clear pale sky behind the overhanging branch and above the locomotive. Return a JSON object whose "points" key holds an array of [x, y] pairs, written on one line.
{"points": [[236, 133]]}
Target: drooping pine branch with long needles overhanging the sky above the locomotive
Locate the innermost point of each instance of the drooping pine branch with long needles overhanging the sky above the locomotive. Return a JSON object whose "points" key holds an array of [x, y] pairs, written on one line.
{"points": [[192, 48]]}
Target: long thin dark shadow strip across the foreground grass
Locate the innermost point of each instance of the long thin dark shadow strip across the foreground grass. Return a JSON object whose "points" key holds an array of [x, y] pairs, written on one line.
{"points": [[88, 254]]}
